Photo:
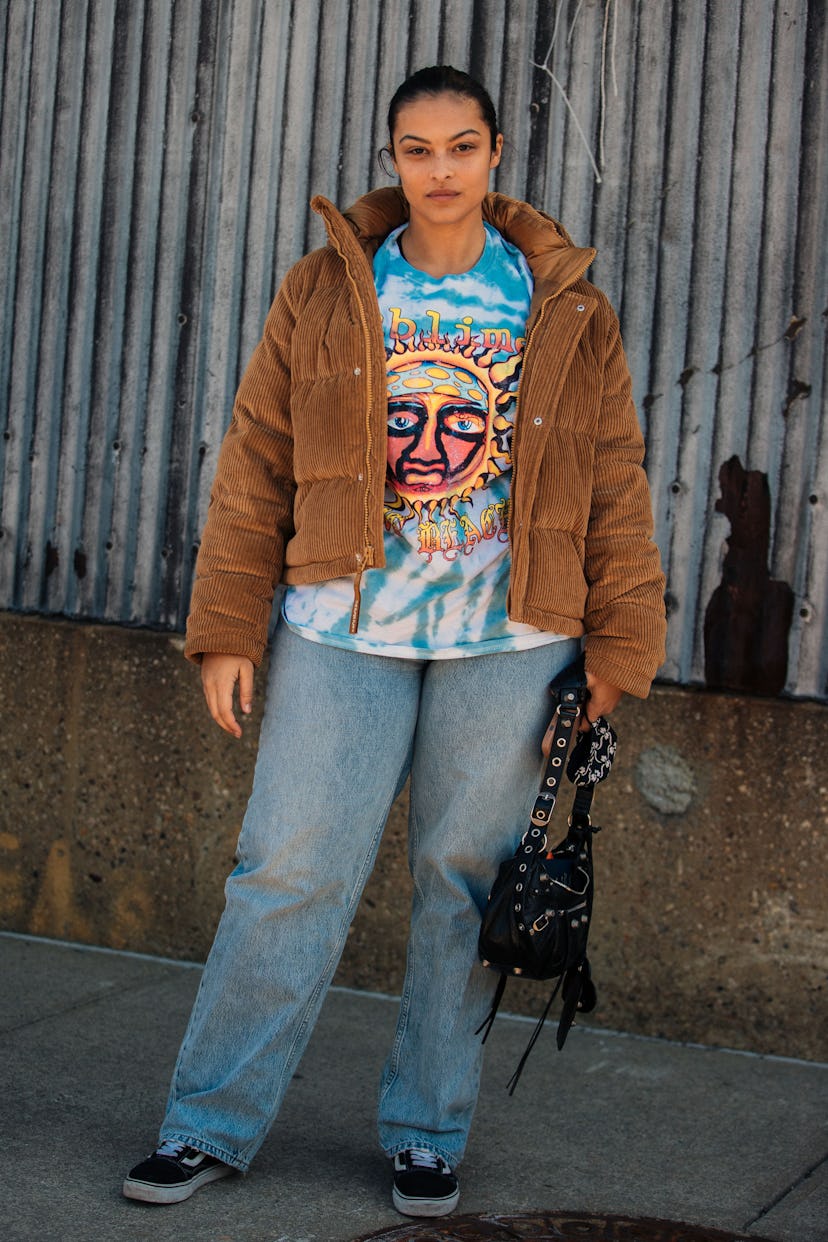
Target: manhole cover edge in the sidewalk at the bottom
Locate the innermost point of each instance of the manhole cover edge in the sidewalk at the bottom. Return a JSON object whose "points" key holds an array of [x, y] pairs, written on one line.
{"points": [[553, 1228]]}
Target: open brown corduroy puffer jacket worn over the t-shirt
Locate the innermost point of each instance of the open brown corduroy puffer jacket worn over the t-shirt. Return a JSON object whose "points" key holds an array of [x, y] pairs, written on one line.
{"points": [[300, 487]]}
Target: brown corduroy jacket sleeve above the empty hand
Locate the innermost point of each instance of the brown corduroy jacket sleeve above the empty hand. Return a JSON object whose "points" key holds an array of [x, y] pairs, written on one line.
{"points": [[251, 506]]}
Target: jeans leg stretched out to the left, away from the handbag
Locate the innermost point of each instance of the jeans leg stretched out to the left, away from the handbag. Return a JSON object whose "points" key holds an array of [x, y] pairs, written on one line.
{"points": [[335, 750]]}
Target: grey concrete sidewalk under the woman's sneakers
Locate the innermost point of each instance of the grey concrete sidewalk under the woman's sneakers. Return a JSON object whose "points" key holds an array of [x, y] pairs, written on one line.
{"points": [[613, 1125]]}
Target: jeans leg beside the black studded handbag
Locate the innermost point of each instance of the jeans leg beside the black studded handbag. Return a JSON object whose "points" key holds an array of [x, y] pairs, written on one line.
{"points": [[475, 776]]}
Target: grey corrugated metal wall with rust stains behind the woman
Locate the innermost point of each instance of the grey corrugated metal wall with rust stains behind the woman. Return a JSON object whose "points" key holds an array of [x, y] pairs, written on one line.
{"points": [[156, 163]]}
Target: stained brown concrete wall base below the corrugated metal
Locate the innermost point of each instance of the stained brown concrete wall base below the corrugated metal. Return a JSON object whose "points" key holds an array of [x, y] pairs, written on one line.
{"points": [[122, 804]]}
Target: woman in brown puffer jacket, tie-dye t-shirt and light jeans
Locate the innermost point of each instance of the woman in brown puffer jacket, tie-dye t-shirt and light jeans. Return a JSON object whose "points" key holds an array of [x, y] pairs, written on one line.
{"points": [[435, 449]]}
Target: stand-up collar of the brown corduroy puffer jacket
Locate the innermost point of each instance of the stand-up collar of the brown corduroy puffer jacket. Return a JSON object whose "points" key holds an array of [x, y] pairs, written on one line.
{"points": [[554, 260]]}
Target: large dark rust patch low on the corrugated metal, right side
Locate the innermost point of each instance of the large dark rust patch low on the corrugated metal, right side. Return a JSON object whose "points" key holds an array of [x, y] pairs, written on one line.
{"points": [[749, 618]]}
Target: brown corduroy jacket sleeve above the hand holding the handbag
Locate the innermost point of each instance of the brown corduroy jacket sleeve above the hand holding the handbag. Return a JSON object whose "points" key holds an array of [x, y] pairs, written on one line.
{"points": [[625, 609]]}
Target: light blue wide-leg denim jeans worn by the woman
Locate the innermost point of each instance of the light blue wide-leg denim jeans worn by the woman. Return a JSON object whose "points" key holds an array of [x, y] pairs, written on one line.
{"points": [[342, 732]]}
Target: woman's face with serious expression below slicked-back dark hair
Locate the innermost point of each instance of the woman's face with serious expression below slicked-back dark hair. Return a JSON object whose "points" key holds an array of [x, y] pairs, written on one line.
{"points": [[443, 153]]}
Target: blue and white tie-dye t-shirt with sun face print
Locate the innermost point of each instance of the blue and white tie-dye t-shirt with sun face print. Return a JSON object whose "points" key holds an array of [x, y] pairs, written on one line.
{"points": [[454, 360]]}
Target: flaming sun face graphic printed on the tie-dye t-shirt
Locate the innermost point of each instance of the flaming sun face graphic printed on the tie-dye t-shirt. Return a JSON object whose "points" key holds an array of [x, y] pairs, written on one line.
{"points": [[449, 425]]}
